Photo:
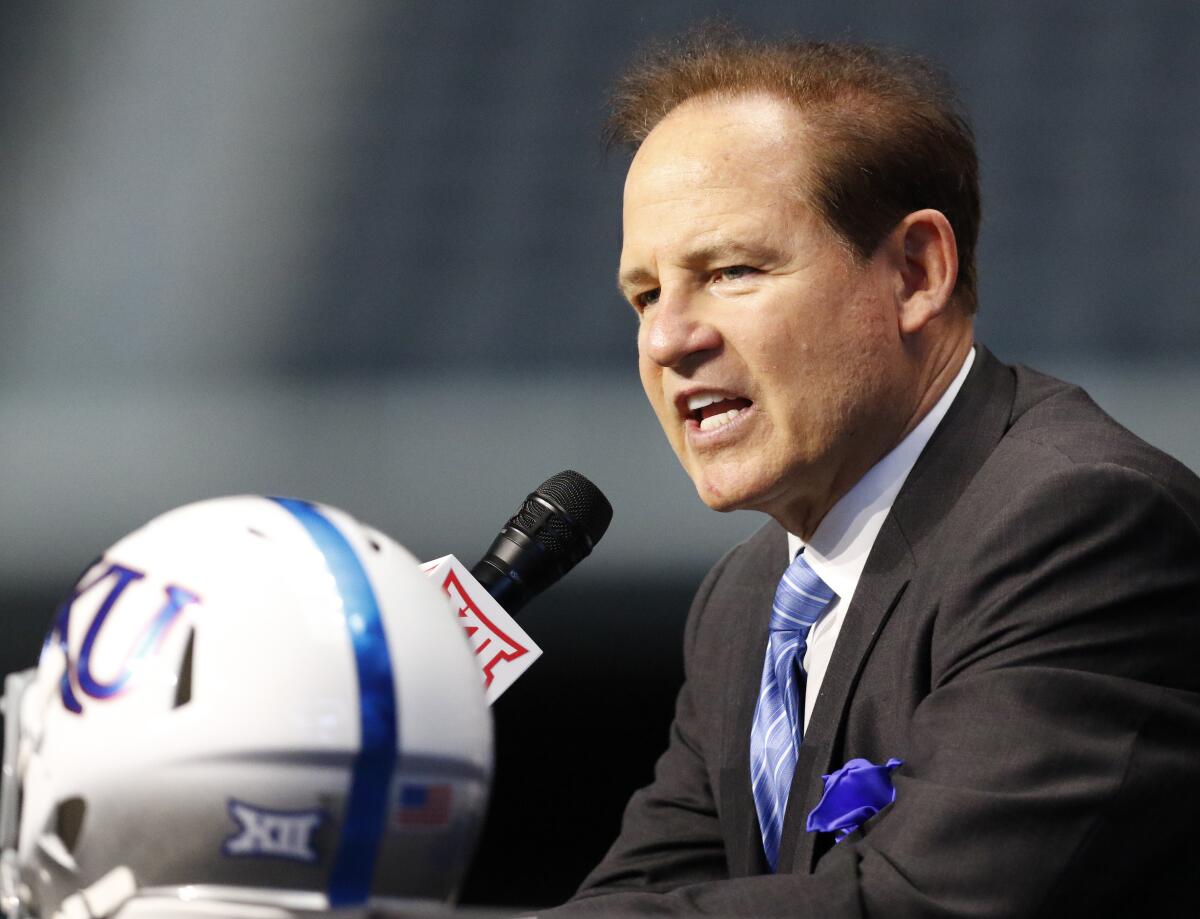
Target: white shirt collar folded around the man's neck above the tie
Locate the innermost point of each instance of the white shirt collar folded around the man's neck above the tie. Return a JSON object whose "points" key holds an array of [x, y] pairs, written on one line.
{"points": [[844, 539]]}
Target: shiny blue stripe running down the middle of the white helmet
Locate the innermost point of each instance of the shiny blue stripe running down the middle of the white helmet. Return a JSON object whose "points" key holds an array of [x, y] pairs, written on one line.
{"points": [[367, 807]]}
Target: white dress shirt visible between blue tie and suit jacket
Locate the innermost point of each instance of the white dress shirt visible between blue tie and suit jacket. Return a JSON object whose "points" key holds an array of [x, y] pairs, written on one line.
{"points": [[844, 539]]}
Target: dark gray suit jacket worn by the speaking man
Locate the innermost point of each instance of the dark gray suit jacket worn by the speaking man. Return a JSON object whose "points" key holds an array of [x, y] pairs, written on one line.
{"points": [[1025, 638]]}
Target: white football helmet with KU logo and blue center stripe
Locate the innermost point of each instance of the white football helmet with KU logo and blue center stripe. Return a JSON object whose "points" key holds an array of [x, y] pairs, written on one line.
{"points": [[250, 707]]}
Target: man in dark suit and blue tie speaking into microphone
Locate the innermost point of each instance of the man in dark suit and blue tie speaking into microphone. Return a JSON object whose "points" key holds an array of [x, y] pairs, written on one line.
{"points": [[956, 675]]}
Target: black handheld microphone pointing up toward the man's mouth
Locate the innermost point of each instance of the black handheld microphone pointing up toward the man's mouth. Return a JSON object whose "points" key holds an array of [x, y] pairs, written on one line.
{"points": [[555, 530]]}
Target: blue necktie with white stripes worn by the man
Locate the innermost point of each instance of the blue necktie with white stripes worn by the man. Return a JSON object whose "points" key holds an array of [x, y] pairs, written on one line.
{"points": [[778, 723]]}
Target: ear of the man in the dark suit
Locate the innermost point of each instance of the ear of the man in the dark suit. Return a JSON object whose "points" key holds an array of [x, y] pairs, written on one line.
{"points": [[928, 262]]}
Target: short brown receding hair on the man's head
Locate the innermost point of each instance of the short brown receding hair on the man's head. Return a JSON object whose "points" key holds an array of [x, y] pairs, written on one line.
{"points": [[890, 137]]}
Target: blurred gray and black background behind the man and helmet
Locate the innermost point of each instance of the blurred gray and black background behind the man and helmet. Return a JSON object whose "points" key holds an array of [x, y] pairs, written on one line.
{"points": [[363, 253]]}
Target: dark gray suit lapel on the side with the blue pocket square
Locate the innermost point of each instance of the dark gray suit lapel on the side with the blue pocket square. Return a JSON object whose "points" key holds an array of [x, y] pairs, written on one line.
{"points": [[968, 435]]}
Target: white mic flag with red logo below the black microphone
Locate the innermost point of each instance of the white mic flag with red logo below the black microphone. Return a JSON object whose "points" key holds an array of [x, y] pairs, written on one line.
{"points": [[502, 647]]}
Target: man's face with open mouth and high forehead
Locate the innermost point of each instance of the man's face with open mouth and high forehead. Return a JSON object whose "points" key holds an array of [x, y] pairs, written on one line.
{"points": [[770, 355]]}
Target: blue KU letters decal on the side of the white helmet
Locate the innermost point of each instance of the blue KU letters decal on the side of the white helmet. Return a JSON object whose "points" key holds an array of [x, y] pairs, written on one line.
{"points": [[79, 676]]}
